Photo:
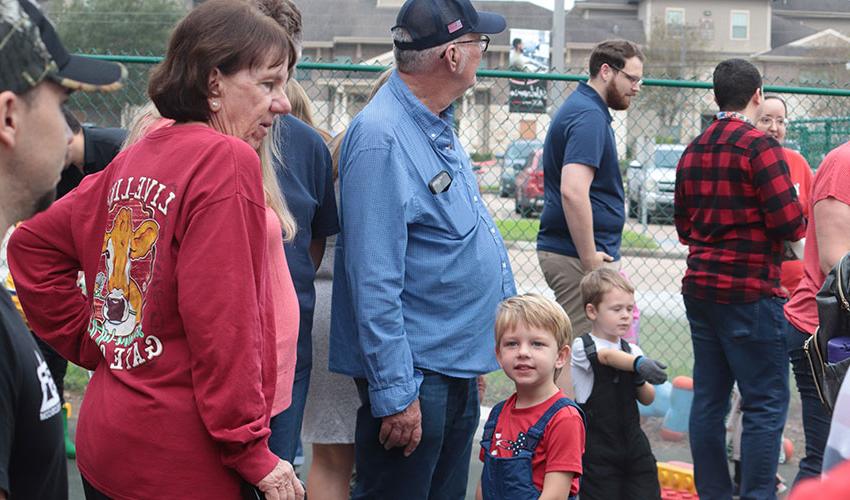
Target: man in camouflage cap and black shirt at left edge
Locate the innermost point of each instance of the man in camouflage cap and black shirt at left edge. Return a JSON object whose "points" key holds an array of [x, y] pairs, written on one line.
{"points": [[36, 76]]}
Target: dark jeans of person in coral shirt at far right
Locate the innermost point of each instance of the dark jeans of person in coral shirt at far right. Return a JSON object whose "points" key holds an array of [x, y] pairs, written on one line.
{"points": [[815, 418]]}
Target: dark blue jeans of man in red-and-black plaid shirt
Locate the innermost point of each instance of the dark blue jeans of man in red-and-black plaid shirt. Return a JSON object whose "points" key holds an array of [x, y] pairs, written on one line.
{"points": [[743, 343]]}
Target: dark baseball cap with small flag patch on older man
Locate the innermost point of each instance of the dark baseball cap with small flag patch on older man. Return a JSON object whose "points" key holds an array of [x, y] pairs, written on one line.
{"points": [[435, 22]]}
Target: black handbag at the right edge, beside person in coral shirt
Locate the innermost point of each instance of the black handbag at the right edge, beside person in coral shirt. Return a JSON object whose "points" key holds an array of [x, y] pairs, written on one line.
{"points": [[828, 350]]}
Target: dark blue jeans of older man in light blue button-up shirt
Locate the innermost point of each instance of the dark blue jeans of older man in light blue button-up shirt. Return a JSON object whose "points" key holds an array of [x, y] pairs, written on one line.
{"points": [[438, 469]]}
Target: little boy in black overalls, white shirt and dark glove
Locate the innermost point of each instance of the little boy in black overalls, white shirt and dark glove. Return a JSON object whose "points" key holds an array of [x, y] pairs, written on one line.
{"points": [[609, 374]]}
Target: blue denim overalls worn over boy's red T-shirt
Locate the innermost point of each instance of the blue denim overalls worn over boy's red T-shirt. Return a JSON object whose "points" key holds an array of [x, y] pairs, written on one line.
{"points": [[511, 478]]}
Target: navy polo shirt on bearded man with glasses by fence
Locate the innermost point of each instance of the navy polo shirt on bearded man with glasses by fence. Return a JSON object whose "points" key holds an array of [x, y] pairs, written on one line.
{"points": [[581, 133]]}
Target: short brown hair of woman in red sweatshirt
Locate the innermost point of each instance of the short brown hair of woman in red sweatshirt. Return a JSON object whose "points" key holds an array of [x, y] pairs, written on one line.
{"points": [[223, 34]]}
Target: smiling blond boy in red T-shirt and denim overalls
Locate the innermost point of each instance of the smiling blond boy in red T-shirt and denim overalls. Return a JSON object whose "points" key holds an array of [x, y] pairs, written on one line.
{"points": [[533, 442]]}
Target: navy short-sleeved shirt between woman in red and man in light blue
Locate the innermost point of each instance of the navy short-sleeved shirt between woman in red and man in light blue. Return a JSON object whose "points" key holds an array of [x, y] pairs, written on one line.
{"points": [[306, 180]]}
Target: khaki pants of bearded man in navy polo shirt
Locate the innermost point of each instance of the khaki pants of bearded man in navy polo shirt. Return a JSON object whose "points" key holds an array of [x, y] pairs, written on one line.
{"points": [[563, 275]]}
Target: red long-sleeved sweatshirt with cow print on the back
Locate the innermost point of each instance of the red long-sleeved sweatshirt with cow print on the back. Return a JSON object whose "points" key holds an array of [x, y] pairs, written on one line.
{"points": [[176, 319]]}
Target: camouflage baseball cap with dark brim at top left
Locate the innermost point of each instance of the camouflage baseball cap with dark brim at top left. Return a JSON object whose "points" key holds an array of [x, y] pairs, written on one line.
{"points": [[30, 52]]}
